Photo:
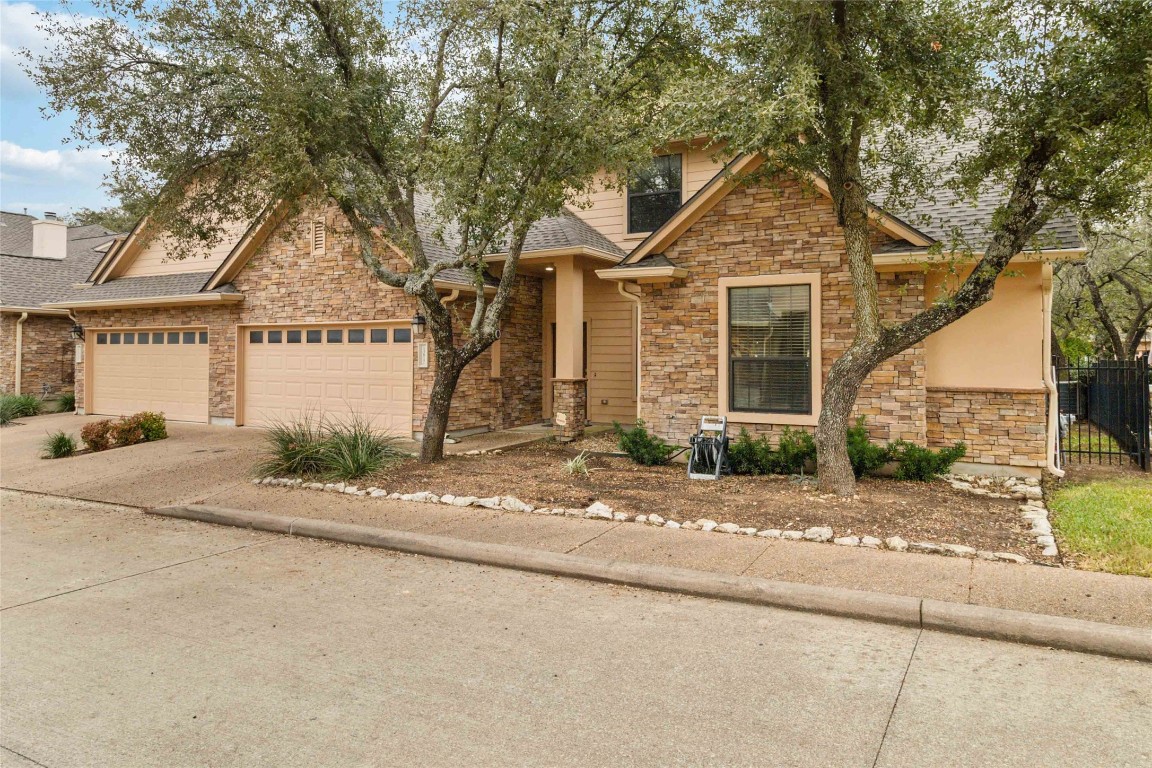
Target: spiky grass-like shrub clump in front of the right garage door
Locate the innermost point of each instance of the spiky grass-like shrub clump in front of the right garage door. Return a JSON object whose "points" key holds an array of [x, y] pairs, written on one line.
{"points": [[334, 450]]}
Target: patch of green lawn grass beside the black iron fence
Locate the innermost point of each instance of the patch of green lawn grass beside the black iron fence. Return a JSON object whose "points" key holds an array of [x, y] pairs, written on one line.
{"points": [[1108, 523]]}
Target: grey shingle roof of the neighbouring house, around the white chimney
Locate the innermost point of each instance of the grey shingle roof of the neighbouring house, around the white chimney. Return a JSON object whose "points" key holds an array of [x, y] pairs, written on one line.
{"points": [[29, 283]]}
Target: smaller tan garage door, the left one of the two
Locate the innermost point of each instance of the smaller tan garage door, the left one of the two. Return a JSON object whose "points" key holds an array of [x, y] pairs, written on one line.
{"points": [[164, 370]]}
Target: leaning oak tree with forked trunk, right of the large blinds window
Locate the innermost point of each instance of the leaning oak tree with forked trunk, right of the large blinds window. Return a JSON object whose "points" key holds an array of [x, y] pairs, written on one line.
{"points": [[1052, 94]]}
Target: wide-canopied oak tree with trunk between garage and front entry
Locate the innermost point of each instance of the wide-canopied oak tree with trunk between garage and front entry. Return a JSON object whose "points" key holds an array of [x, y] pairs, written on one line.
{"points": [[497, 112]]}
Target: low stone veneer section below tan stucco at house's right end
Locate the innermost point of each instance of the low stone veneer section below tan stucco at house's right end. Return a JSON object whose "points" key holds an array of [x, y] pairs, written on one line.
{"points": [[999, 428]]}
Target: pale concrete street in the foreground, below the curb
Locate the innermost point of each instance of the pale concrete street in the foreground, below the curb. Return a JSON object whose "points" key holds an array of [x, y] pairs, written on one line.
{"points": [[131, 642]]}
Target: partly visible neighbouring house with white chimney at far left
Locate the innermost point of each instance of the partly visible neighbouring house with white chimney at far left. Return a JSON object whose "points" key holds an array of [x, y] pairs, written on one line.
{"points": [[41, 261]]}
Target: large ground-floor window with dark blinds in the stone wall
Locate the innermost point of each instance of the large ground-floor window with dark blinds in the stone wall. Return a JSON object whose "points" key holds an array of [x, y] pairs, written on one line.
{"points": [[770, 349]]}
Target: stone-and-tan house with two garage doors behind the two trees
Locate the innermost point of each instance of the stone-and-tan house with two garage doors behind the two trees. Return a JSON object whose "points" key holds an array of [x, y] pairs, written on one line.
{"points": [[689, 294]]}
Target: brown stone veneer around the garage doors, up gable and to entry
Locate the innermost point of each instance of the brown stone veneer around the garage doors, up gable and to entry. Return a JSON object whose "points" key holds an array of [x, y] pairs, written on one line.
{"points": [[286, 283]]}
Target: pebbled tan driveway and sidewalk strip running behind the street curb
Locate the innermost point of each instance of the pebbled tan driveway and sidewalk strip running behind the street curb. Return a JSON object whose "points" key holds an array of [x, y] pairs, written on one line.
{"points": [[201, 465]]}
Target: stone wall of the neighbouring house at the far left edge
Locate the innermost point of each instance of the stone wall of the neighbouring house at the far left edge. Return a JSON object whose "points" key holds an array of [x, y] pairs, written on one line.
{"points": [[47, 358]]}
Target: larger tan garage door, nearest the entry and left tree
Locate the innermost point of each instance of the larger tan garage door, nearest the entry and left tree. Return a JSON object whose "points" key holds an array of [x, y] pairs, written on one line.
{"points": [[330, 372]]}
